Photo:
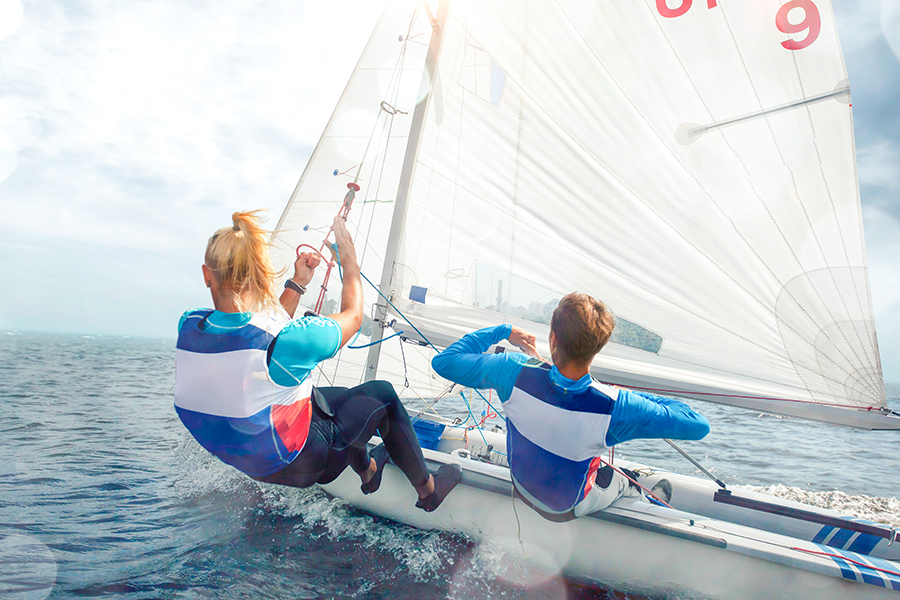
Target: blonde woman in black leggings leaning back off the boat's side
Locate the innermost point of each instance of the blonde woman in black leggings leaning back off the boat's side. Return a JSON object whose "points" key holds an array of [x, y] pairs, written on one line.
{"points": [[243, 387]]}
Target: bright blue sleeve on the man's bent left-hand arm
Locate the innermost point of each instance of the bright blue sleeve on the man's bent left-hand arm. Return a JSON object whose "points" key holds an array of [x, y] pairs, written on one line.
{"points": [[465, 363]]}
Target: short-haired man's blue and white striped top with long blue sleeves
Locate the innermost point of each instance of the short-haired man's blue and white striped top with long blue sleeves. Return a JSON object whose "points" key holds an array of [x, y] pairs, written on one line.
{"points": [[557, 426]]}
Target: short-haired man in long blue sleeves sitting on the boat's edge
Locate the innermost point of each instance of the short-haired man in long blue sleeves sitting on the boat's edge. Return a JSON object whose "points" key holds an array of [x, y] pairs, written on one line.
{"points": [[559, 419]]}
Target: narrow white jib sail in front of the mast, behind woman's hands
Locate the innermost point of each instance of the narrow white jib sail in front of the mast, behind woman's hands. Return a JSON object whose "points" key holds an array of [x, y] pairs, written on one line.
{"points": [[364, 142]]}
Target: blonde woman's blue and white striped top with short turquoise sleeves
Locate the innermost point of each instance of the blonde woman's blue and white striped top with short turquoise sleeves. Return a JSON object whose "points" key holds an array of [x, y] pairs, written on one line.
{"points": [[245, 401]]}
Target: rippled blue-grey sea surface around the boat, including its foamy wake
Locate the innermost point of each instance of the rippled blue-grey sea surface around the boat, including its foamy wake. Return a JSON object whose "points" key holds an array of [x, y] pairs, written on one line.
{"points": [[103, 493]]}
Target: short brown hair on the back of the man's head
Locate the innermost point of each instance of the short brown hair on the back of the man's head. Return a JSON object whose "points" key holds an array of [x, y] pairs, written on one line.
{"points": [[582, 326]]}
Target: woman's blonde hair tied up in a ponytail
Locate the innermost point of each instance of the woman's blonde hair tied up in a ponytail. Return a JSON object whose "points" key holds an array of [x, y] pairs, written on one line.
{"points": [[239, 258]]}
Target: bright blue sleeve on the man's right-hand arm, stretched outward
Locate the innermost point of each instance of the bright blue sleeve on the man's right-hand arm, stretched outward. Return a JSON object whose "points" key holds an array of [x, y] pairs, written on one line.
{"points": [[640, 415]]}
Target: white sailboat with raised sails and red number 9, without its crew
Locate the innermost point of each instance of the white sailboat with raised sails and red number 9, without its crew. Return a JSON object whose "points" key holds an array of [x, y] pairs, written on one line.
{"points": [[692, 164]]}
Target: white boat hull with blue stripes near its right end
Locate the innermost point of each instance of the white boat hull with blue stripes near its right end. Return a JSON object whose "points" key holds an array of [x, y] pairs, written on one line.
{"points": [[638, 547]]}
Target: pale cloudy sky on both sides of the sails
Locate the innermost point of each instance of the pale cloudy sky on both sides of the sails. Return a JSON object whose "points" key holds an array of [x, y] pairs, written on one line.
{"points": [[130, 131]]}
